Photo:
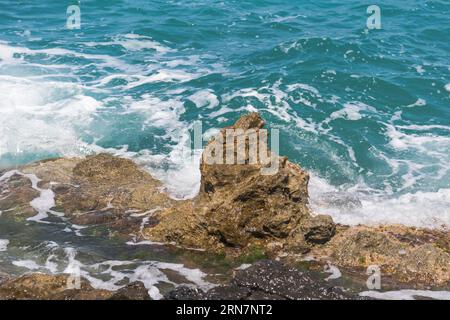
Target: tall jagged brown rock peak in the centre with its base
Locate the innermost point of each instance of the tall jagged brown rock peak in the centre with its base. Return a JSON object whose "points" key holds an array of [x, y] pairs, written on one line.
{"points": [[238, 206]]}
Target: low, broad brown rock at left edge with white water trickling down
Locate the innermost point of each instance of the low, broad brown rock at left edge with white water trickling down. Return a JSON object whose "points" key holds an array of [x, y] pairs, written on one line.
{"points": [[99, 190]]}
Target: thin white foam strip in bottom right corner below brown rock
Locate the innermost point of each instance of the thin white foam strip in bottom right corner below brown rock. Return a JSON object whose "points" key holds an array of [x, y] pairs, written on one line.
{"points": [[407, 294]]}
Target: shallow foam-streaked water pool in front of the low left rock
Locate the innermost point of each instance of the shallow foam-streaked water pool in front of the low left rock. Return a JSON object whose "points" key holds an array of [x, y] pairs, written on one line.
{"points": [[107, 263]]}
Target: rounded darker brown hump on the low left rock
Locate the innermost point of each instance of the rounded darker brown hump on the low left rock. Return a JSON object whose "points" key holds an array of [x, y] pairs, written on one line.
{"points": [[104, 181]]}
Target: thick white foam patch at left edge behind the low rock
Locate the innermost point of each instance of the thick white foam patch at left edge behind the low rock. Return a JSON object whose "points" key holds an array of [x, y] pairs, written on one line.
{"points": [[41, 120]]}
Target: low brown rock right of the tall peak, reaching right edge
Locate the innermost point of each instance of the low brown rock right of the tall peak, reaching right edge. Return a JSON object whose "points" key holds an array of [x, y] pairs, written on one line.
{"points": [[408, 254]]}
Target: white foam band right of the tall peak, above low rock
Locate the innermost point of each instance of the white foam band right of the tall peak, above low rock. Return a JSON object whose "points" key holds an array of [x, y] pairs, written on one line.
{"points": [[358, 205]]}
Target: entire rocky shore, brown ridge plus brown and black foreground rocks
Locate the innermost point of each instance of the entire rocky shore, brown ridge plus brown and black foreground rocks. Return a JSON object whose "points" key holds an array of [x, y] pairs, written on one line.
{"points": [[238, 212]]}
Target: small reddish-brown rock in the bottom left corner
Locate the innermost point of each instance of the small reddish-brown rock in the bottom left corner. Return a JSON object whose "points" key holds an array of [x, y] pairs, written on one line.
{"points": [[39, 286]]}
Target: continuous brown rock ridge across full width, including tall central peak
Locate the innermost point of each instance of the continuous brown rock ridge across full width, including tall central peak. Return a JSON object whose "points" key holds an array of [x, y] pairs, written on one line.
{"points": [[238, 209]]}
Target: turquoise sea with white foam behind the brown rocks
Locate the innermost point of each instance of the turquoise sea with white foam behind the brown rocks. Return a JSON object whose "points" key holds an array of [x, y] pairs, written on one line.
{"points": [[367, 112]]}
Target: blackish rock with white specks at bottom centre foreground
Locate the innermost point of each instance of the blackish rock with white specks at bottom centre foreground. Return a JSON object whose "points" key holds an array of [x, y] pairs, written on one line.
{"points": [[267, 280]]}
